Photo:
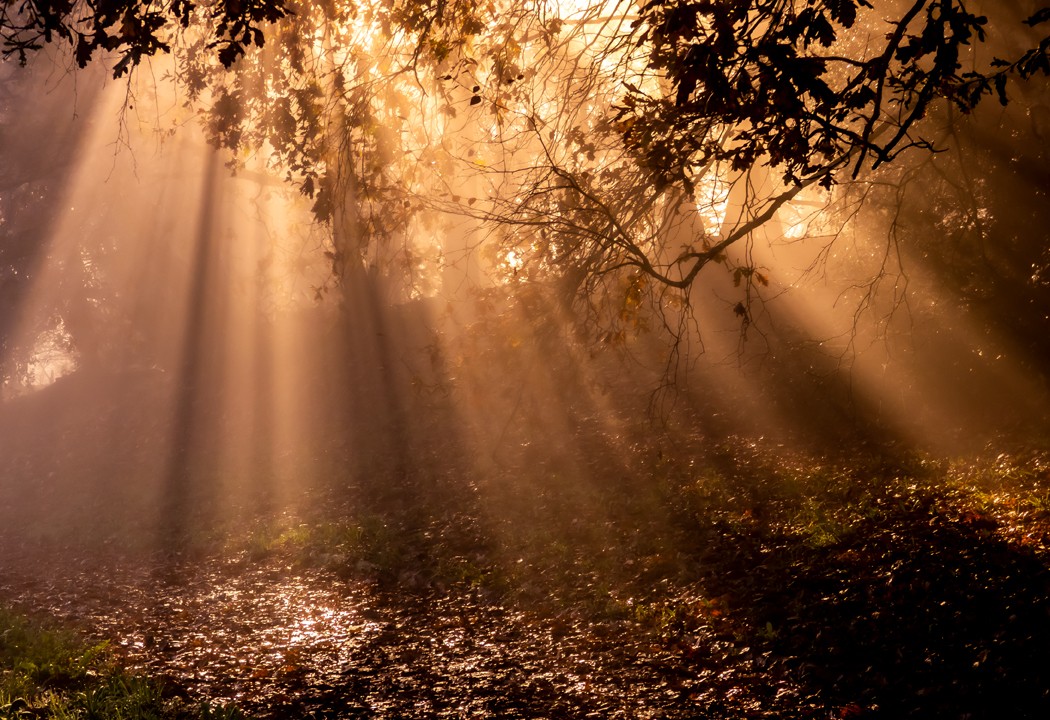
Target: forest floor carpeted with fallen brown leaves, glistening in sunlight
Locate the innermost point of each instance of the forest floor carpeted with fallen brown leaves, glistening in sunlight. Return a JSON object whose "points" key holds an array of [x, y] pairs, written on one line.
{"points": [[729, 581]]}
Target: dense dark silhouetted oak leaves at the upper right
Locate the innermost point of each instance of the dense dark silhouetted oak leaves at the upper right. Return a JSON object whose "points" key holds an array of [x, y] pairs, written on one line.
{"points": [[791, 86]]}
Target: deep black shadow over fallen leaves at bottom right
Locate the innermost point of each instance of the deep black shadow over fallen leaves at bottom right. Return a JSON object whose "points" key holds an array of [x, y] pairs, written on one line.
{"points": [[916, 611]]}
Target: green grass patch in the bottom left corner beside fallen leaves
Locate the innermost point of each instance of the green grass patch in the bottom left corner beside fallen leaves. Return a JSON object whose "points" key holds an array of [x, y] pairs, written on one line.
{"points": [[54, 674]]}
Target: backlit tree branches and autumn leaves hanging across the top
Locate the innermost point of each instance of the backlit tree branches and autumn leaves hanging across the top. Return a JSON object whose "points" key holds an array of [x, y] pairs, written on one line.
{"points": [[619, 149]]}
